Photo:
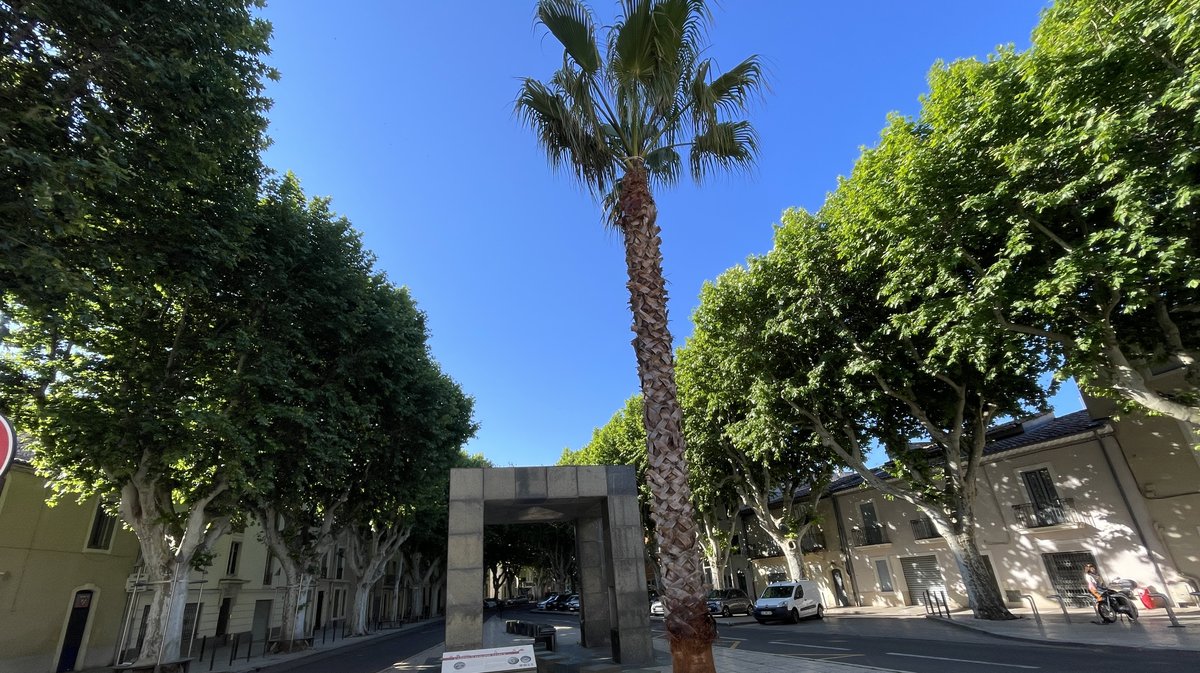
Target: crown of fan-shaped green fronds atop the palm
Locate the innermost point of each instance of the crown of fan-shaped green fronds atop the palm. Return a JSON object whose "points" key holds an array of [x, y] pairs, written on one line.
{"points": [[650, 94]]}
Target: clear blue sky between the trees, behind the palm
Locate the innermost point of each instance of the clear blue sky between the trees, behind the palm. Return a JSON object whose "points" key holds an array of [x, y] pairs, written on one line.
{"points": [[403, 113]]}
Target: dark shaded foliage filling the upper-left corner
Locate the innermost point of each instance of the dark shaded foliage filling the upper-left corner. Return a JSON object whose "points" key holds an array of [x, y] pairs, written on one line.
{"points": [[125, 125]]}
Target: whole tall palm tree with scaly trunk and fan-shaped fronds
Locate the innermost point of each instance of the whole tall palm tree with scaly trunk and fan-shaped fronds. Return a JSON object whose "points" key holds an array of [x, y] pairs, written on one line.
{"points": [[619, 124]]}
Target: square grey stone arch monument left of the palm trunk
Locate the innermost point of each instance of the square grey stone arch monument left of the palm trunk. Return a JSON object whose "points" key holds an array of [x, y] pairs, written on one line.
{"points": [[610, 549]]}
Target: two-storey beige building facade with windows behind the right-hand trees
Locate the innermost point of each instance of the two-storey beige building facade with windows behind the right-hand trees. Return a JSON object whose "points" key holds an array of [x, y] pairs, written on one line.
{"points": [[1055, 495]]}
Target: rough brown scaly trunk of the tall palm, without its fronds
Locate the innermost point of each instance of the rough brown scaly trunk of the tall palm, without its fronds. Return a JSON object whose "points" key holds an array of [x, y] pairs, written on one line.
{"points": [[691, 629]]}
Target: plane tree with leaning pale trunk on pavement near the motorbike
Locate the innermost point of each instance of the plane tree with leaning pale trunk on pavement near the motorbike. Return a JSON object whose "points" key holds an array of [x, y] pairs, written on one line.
{"points": [[860, 374]]}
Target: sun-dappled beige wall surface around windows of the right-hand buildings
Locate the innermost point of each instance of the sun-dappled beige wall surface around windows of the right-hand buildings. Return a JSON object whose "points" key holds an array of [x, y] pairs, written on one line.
{"points": [[1131, 494]]}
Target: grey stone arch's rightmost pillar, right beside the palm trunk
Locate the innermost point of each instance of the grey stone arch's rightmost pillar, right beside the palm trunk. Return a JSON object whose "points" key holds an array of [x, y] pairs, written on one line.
{"points": [[628, 564]]}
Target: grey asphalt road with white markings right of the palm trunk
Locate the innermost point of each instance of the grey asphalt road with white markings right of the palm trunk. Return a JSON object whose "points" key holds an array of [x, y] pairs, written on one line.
{"points": [[921, 646]]}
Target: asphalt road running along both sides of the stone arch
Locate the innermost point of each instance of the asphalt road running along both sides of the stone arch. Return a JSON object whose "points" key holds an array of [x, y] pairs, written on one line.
{"points": [[904, 646]]}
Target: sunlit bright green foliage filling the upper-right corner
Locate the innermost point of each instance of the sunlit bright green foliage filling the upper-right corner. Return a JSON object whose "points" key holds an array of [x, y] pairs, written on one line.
{"points": [[1055, 193]]}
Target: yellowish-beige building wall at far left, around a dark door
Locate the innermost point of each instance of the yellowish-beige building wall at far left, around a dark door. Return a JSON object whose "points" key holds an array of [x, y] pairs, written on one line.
{"points": [[45, 562]]}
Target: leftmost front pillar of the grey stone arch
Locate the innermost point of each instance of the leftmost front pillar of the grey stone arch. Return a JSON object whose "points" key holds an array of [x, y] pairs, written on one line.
{"points": [[465, 561]]}
